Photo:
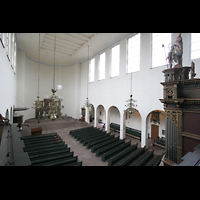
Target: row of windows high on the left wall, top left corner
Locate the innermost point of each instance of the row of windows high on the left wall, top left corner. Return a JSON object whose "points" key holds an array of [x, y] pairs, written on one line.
{"points": [[8, 41]]}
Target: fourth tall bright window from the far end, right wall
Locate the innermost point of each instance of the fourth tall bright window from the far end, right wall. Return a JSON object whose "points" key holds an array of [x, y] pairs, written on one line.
{"points": [[134, 53]]}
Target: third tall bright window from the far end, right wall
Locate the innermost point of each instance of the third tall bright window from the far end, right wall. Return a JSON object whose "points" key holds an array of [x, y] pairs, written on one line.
{"points": [[114, 71]]}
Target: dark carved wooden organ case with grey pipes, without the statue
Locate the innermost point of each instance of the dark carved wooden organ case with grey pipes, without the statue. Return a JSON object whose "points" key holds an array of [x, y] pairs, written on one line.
{"points": [[181, 99]]}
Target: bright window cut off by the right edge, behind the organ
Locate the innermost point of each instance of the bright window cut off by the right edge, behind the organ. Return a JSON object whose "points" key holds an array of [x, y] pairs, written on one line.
{"points": [[195, 45]]}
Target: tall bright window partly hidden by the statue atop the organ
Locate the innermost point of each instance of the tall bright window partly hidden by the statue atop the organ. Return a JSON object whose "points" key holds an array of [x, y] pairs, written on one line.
{"points": [[158, 51]]}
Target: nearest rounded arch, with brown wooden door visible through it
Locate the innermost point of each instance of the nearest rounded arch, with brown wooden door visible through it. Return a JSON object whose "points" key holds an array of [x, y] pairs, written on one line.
{"points": [[155, 123]]}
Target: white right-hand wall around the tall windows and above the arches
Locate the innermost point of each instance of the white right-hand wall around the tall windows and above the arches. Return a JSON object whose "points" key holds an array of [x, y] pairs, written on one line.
{"points": [[147, 89]]}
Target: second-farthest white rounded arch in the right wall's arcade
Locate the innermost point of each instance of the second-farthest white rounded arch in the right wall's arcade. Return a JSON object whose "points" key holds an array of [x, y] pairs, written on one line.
{"points": [[100, 116]]}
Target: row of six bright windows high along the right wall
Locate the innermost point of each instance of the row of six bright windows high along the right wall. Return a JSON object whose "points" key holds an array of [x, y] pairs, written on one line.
{"points": [[160, 47]]}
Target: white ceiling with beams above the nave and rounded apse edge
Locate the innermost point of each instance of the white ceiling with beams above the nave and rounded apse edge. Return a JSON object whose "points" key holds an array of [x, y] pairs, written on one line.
{"points": [[70, 47]]}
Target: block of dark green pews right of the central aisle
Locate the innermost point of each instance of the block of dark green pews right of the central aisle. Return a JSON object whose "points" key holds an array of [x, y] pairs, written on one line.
{"points": [[113, 150]]}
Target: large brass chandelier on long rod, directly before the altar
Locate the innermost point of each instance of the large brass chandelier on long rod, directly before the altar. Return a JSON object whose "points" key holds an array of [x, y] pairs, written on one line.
{"points": [[55, 104]]}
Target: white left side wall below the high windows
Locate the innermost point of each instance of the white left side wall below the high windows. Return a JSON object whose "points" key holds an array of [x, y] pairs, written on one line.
{"points": [[8, 80]]}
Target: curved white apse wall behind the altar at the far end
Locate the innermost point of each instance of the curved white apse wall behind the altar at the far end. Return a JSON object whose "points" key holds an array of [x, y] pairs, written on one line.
{"points": [[28, 85]]}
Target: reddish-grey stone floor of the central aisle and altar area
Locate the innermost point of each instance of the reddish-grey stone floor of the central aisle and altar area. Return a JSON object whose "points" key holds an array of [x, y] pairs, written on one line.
{"points": [[63, 126]]}
